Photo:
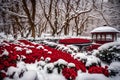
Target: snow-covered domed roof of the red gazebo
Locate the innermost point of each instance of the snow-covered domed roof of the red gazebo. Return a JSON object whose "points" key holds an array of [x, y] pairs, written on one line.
{"points": [[105, 29]]}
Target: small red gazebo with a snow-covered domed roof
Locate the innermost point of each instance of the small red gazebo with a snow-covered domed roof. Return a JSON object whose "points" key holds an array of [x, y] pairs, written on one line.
{"points": [[104, 34]]}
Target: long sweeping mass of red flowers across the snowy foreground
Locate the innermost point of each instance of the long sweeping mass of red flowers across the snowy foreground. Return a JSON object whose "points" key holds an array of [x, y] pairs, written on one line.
{"points": [[28, 52]]}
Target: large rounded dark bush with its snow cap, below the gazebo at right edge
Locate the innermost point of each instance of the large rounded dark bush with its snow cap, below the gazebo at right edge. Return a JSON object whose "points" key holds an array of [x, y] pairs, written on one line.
{"points": [[109, 52]]}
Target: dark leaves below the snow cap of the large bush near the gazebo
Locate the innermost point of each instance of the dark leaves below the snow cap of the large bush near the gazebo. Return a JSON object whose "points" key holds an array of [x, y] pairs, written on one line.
{"points": [[109, 55]]}
